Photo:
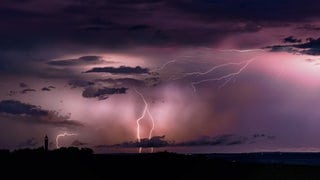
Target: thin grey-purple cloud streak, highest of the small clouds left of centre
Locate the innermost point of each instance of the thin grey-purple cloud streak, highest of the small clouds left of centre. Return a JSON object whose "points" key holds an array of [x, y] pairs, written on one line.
{"points": [[75, 62]]}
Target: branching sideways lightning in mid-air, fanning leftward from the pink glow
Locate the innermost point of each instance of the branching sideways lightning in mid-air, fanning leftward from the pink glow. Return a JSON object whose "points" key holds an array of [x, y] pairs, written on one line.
{"points": [[227, 77]]}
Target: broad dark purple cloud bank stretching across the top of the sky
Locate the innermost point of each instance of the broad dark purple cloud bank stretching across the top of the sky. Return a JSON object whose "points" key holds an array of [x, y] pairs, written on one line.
{"points": [[113, 24]]}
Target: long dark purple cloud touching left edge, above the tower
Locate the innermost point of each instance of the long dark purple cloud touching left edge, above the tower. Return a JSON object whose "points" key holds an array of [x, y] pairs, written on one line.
{"points": [[16, 110]]}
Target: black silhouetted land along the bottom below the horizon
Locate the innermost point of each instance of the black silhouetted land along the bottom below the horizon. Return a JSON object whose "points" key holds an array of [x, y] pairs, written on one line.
{"points": [[82, 164]]}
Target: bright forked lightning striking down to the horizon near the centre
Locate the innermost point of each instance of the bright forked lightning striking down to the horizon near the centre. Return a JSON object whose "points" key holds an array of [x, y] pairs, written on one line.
{"points": [[145, 111]]}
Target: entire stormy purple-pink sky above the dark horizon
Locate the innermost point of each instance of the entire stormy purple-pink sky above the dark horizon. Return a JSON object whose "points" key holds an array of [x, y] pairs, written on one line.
{"points": [[189, 76]]}
